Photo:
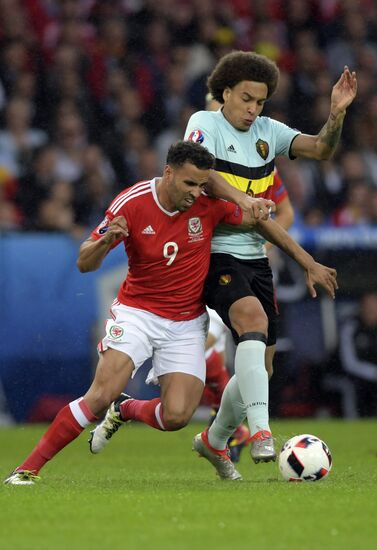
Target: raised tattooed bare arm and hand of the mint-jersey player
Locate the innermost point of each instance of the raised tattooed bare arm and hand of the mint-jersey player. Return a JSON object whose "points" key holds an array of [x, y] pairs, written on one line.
{"points": [[323, 145]]}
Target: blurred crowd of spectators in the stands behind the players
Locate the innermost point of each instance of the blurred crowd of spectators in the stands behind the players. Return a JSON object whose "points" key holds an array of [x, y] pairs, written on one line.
{"points": [[92, 93]]}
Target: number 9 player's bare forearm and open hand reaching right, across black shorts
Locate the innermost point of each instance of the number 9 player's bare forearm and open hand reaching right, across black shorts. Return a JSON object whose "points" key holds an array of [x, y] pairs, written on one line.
{"points": [[315, 273]]}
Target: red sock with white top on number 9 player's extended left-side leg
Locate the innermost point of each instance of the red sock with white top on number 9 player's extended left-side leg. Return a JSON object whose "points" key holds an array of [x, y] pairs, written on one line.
{"points": [[68, 424]]}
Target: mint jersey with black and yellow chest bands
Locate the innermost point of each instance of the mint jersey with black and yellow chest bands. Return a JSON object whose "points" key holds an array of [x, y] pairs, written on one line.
{"points": [[247, 161]]}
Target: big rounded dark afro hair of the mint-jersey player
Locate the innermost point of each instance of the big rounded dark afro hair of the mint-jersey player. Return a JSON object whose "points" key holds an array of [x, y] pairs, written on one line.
{"points": [[239, 66]]}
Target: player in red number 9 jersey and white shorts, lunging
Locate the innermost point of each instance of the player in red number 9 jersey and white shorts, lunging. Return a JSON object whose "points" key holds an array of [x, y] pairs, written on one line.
{"points": [[166, 226]]}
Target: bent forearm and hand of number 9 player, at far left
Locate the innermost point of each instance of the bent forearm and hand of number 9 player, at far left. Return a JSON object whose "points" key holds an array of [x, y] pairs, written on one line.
{"points": [[93, 251]]}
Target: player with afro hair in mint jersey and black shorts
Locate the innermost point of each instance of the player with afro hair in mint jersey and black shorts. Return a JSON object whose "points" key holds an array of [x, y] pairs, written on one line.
{"points": [[239, 284]]}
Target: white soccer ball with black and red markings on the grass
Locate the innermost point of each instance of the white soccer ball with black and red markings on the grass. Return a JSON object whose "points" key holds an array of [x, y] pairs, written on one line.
{"points": [[305, 458]]}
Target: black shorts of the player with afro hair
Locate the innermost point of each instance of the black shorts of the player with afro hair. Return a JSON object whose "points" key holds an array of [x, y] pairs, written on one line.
{"points": [[230, 279]]}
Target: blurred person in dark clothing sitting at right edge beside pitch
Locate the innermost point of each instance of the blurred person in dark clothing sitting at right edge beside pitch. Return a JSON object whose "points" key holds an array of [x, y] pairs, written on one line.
{"points": [[358, 353]]}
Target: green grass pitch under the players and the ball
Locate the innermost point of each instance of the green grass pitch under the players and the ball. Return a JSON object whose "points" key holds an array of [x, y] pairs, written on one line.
{"points": [[148, 490]]}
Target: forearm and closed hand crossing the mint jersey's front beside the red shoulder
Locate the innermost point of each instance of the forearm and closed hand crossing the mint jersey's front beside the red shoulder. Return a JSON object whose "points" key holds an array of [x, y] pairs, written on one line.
{"points": [[218, 187]]}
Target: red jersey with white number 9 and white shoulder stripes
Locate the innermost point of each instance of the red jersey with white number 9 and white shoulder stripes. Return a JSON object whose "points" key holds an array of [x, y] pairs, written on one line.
{"points": [[168, 252]]}
